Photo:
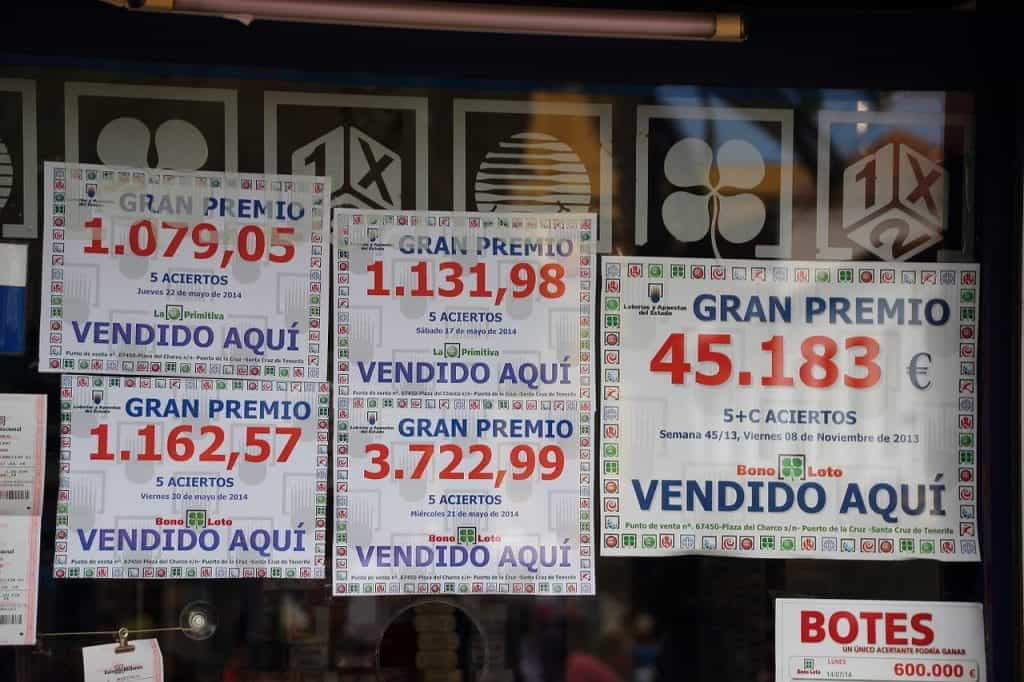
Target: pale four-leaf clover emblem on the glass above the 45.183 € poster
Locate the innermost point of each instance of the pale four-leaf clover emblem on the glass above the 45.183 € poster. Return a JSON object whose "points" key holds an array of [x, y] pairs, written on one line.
{"points": [[713, 192]]}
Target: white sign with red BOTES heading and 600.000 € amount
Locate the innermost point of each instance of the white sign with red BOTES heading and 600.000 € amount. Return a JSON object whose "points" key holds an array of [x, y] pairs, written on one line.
{"points": [[832, 640]]}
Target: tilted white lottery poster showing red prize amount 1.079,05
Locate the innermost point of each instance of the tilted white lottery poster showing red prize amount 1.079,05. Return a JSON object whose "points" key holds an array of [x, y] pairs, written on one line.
{"points": [[167, 273]]}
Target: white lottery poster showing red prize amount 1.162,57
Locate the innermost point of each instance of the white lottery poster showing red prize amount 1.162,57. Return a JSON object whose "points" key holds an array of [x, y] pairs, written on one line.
{"points": [[173, 479]]}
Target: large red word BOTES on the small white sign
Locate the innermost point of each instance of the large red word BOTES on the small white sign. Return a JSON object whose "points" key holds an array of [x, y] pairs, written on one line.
{"points": [[888, 628]]}
